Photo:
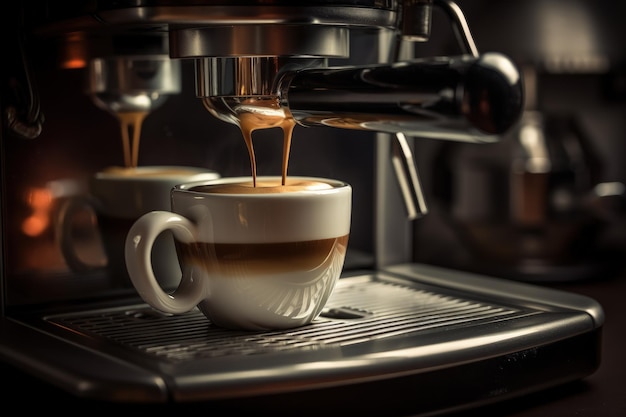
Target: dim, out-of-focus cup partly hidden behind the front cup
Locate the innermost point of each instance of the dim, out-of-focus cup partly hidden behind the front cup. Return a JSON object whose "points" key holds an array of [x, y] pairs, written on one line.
{"points": [[117, 196]]}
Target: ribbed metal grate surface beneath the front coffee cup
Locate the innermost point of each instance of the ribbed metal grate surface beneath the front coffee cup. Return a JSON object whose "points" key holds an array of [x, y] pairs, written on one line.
{"points": [[360, 310]]}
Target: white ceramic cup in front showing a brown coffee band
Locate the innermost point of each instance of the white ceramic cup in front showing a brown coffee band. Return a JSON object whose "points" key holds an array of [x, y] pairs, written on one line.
{"points": [[264, 257]]}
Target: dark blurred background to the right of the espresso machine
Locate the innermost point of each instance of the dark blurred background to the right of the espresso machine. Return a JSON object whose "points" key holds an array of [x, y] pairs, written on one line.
{"points": [[547, 203]]}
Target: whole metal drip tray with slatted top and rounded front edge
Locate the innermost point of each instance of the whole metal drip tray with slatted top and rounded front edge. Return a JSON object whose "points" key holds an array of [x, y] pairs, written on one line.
{"points": [[457, 339]]}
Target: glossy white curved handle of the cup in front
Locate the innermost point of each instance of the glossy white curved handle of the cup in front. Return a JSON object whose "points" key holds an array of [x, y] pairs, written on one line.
{"points": [[138, 248]]}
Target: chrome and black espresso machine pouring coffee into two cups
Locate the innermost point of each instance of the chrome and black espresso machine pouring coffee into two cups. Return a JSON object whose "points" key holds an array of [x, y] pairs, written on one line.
{"points": [[348, 75]]}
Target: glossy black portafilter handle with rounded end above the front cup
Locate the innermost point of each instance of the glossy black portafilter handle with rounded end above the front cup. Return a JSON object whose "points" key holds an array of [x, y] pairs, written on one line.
{"points": [[463, 98]]}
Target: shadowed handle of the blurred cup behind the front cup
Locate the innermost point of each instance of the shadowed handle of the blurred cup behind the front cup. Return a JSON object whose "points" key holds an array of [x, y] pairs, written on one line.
{"points": [[63, 232]]}
